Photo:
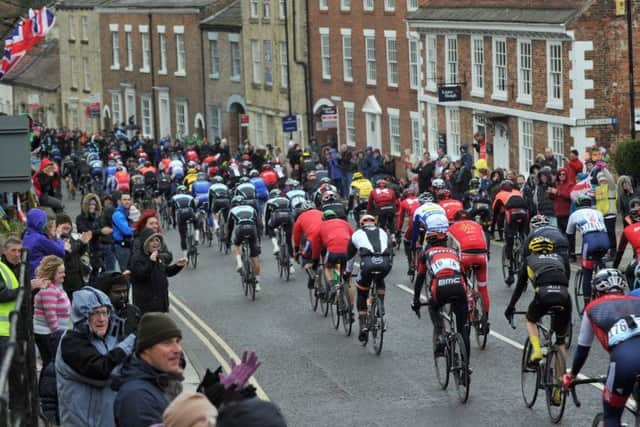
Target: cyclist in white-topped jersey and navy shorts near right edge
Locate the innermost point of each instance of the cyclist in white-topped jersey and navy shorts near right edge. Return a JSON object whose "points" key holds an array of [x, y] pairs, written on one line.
{"points": [[595, 240]]}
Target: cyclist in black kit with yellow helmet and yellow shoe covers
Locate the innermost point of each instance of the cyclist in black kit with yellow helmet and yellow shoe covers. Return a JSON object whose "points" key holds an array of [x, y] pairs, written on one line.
{"points": [[545, 269]]}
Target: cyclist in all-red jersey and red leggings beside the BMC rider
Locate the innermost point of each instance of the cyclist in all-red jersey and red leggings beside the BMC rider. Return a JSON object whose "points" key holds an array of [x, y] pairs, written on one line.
{"points": [[468, 239]]}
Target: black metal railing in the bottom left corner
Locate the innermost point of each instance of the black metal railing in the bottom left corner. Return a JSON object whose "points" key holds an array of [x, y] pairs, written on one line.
{"points": [[18, 379]]}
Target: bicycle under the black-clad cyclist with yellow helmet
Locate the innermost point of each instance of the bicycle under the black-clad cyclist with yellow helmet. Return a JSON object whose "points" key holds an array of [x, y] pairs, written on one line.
{"points": [[547, 374]]}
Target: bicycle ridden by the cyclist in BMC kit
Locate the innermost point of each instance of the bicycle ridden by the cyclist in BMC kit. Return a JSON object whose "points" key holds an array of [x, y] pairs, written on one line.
{"points": [[455, 355]]}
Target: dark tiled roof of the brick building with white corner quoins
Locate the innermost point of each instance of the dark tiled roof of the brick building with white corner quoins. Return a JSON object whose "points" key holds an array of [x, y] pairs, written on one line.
{"points": [[493, 12]]}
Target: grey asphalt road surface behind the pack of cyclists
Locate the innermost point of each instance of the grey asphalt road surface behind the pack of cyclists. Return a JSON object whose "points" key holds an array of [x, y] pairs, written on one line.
{"points": [[319, 377]]}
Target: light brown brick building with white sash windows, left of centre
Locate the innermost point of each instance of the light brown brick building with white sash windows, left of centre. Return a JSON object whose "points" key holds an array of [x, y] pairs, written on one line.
{"points": [[152, 64]]}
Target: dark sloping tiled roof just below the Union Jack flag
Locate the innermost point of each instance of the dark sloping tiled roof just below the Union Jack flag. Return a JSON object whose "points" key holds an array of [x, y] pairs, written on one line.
{"points": [[39, 69]]}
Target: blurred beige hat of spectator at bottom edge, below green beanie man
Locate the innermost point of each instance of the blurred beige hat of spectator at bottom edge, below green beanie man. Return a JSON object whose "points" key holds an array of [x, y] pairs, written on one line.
{"points": [[190, 409]]}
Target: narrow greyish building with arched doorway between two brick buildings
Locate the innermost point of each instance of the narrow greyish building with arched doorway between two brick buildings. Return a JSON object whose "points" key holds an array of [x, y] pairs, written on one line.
{"points": [[224, 74]]}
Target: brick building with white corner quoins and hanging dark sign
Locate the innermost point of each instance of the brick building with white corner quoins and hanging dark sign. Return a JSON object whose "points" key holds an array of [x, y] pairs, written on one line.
{"points": [[528, 74]]}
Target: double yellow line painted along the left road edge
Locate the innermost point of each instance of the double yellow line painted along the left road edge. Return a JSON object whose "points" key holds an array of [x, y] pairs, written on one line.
{"points": [[182, 312]]}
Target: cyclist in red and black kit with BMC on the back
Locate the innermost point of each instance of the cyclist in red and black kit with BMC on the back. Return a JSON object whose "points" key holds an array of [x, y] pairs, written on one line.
{"points": [[447, 283]]}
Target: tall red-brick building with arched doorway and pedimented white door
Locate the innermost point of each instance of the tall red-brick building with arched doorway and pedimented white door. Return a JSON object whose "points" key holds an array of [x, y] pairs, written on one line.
{"points": [[365, 66]]}
